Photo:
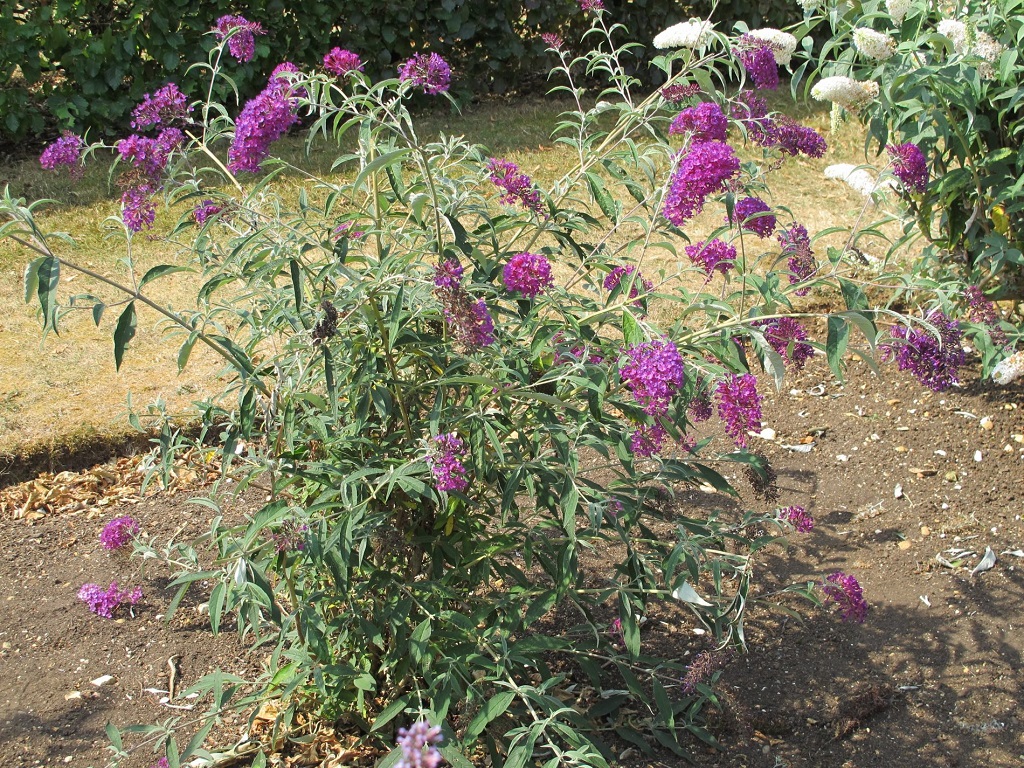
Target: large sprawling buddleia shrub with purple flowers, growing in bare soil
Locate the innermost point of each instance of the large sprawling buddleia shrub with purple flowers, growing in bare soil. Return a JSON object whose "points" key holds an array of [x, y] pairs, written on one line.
{"points": [[448, 380]]}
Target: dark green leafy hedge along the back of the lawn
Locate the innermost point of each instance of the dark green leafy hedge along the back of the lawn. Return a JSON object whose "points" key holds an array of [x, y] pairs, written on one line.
{"points": [[86, 64]]}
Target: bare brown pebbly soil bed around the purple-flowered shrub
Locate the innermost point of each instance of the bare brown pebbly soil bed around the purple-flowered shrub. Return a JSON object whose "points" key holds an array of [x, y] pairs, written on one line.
{"points": [[932, 678]]}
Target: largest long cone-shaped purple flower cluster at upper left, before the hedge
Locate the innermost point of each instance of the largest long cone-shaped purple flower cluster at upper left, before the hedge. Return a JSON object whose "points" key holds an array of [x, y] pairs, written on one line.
{"points": [[264, 120]]}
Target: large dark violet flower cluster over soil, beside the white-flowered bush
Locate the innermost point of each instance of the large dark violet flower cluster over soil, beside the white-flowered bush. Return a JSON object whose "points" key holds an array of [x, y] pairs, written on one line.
{"points": [[933, 358]]}
